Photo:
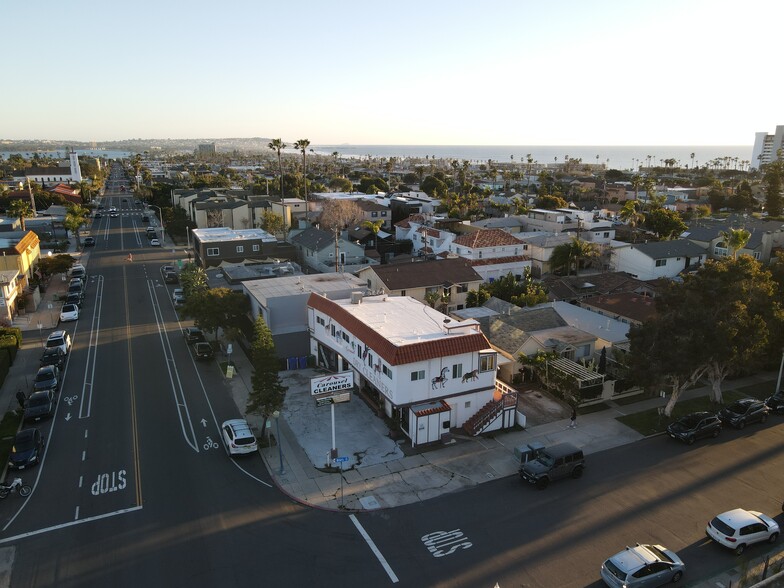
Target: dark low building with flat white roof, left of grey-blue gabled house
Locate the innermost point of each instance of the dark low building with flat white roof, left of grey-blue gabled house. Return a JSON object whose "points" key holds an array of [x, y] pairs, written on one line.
{"points": [[222, 244]]}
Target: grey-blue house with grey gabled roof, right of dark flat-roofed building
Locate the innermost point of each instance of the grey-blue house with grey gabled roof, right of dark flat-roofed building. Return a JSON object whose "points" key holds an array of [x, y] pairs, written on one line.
{"points": [[319, 251]]}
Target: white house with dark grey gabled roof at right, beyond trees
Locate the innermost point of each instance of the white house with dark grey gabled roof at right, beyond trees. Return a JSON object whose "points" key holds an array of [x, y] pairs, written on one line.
{"points": [[661, 259]]}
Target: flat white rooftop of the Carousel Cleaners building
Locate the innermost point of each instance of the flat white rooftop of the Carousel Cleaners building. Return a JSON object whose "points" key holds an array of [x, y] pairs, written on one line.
{"points": [[403, 321]]}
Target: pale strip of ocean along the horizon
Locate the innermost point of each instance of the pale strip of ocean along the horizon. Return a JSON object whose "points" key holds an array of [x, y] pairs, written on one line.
{"points": [[613, 156]]}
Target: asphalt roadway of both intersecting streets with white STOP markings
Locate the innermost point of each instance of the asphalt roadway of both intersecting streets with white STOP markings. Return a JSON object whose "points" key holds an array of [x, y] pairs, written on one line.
{"points": [[136, 489]]}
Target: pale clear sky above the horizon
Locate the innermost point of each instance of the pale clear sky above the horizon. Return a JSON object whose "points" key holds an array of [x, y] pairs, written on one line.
{"points": [[427, 72]]}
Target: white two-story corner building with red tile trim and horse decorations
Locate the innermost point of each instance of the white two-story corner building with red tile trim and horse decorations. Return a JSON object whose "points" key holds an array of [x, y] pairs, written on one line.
{"points": [[424, 370]]}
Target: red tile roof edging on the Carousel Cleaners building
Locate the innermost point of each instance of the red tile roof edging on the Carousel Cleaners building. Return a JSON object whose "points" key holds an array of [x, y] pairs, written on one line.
{"points": [[403, 354]]}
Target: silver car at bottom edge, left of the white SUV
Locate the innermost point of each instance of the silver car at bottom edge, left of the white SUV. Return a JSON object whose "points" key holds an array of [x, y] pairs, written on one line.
{"points": [[643, 566]]}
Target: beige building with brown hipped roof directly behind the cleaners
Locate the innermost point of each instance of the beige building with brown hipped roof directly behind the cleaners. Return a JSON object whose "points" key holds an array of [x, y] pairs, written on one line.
{"points": [[451, 279]]}
